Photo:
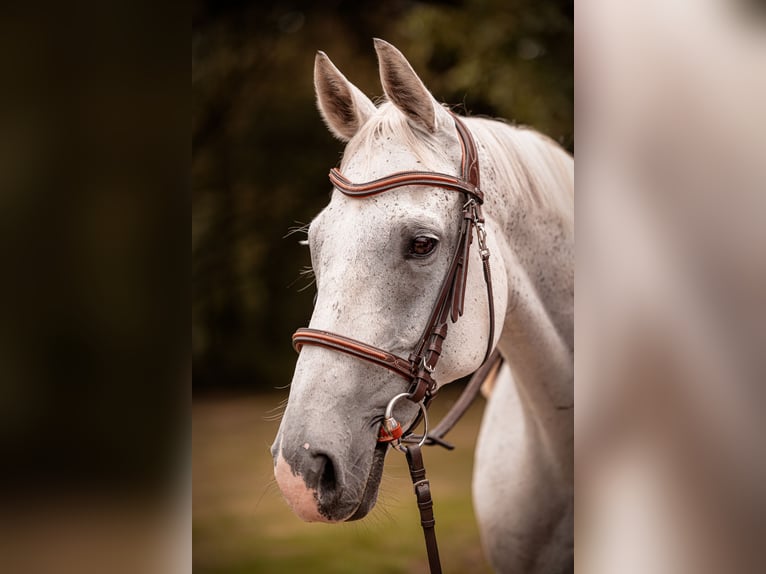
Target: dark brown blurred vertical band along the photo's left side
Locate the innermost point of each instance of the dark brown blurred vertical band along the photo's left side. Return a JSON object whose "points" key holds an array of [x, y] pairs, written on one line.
{"points": [[94, 289]]}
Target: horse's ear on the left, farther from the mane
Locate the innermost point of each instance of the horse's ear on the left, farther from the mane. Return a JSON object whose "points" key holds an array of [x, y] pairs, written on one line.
{"points": [[343, 106]]}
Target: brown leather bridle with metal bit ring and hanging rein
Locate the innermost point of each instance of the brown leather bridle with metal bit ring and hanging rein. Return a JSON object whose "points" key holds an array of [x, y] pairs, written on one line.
{"points": [[419, 367]]}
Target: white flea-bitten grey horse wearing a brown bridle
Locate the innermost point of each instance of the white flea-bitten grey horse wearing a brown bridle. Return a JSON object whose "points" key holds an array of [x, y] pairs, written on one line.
{"points": [[379, 263]]}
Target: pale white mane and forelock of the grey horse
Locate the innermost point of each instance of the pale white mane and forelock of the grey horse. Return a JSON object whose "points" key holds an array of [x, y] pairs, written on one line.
{"points": [[539, 174]]}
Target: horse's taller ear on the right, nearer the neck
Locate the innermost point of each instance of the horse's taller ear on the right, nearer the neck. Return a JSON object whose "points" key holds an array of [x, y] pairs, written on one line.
{"points": [[405, 89]]}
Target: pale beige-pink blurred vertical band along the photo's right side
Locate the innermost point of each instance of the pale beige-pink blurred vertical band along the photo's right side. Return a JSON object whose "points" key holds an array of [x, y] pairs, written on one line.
{"points": [[671, 287]]}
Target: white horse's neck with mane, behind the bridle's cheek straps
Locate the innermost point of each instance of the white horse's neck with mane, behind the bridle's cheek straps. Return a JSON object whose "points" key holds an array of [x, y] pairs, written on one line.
{"points": [[537, 249]]}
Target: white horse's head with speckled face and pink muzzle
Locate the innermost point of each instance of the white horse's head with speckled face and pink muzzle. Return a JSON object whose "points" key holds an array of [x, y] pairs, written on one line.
{"points": [[379, 264]]}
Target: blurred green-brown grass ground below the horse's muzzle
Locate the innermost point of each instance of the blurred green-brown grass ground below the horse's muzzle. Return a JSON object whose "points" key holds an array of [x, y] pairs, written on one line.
{"points": [[241, 525]]}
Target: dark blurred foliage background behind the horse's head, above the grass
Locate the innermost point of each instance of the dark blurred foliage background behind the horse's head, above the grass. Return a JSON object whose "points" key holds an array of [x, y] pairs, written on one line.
{"points": [[260, 152]]}
